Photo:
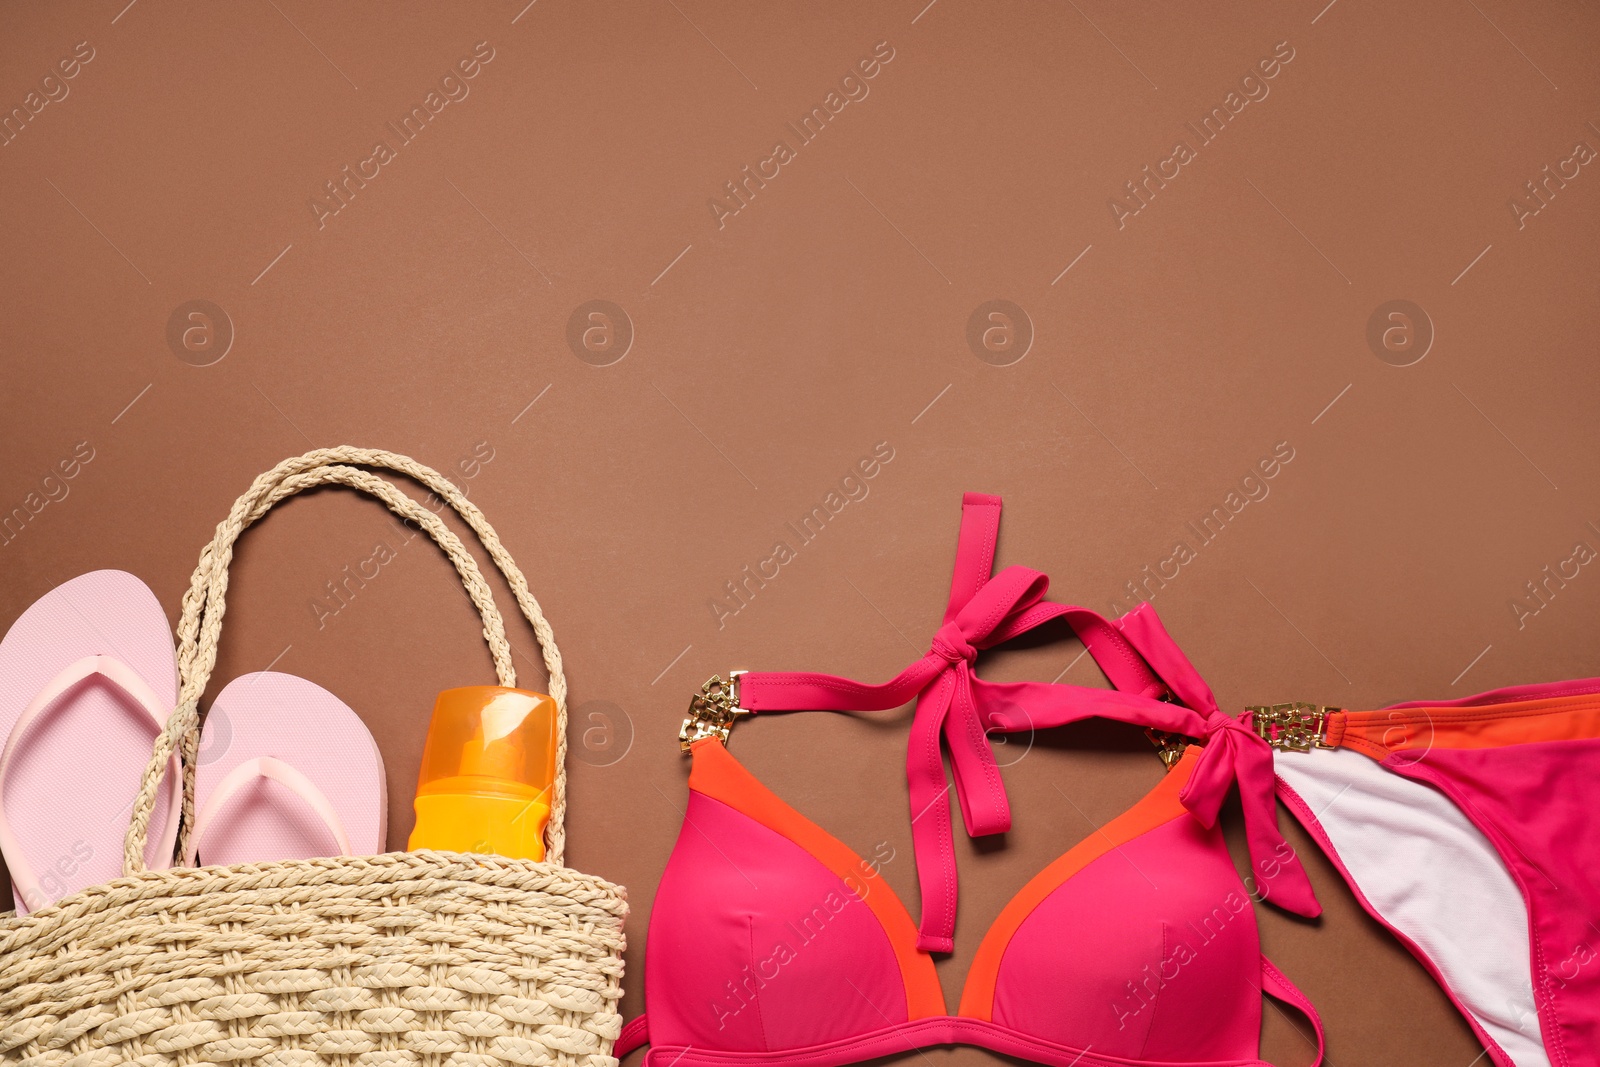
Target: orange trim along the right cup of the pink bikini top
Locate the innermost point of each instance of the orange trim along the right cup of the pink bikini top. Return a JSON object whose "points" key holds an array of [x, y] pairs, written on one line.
{"points": [[1158, 809]]}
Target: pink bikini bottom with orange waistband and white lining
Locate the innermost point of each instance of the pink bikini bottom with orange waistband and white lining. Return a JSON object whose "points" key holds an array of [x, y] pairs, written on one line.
{"points": [[1471, 829]]}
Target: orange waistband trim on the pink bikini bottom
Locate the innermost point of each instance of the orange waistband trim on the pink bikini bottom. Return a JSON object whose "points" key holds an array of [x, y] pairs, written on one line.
{"points": [[1385, 732]]}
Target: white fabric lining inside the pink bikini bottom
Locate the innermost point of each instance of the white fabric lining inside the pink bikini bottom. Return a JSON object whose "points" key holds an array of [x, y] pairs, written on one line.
{"points": [[1436, 879]]}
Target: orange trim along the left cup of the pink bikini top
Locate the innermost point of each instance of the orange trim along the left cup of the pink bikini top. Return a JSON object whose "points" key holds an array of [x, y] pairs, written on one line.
{"points": [[718, 775]]}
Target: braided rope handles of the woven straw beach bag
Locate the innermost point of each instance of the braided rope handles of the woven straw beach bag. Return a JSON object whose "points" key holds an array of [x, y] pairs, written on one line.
{"points": [[201, 625]]}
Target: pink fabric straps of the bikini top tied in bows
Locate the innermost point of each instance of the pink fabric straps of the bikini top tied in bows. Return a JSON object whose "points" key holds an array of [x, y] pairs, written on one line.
{"points": [[956, 706]]}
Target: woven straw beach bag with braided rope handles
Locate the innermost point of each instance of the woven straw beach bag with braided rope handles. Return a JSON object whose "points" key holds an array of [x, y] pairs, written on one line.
{"points": [[425, 959]]}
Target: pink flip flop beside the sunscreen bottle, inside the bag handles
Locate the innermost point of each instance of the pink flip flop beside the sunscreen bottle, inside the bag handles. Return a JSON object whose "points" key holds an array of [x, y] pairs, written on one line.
{"points": [[286, 772]]}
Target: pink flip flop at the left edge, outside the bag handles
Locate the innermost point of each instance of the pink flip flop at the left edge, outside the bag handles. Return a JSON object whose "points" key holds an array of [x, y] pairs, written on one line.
{"points": [[87, 681]]}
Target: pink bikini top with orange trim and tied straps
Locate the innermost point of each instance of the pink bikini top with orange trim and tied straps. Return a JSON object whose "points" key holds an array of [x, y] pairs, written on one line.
{"points": [[774, 943]]}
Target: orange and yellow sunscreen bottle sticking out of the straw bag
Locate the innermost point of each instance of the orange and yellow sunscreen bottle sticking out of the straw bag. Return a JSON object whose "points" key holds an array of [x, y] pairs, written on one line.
{"points": [[487, 773]]}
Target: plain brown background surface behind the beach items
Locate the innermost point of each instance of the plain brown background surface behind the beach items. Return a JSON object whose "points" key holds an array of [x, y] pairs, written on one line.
{"points": [[828, 316]]}
